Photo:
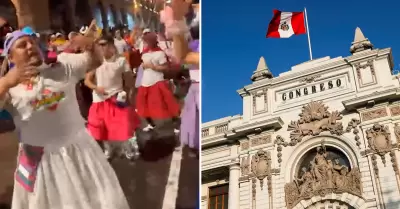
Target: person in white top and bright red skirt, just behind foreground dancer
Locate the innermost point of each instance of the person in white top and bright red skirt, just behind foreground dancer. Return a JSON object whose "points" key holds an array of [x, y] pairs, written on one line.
{"points": [[110, 114]]}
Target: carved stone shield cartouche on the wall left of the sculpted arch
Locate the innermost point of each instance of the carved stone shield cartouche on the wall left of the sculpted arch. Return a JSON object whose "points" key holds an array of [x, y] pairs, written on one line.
{"points": [[261, 165]]}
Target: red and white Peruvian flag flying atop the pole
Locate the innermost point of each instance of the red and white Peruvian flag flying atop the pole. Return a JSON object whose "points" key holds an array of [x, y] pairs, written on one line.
{"points": [[286, 24]]}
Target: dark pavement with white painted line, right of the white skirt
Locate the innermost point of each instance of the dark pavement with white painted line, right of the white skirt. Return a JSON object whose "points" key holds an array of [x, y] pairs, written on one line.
{"points": [[163, 180]]}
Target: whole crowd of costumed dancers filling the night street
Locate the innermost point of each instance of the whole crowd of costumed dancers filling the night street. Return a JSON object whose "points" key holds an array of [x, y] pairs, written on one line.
{"points": [[78, 100]]}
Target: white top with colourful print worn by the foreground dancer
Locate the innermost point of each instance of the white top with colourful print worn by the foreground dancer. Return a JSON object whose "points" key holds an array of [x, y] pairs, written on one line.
{"points": [[48, 114]]}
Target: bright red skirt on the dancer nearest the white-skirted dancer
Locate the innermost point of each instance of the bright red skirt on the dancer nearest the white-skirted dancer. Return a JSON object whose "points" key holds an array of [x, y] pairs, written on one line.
{"points": [[107, 121]]}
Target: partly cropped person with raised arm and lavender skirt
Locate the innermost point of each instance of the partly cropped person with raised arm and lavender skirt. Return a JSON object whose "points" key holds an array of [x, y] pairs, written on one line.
{"points": [[176, 28]]}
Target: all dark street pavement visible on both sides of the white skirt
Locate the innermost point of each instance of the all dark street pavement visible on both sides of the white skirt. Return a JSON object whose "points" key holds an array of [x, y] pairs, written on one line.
{"points": [[168, 178]]}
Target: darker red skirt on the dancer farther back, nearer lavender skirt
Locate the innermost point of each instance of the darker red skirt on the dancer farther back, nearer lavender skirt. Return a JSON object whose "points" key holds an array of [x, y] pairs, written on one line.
{"points": [[157, 102]]}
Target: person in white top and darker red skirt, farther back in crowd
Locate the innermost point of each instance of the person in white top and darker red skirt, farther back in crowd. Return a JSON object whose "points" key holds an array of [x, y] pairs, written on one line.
{"points": [[155, 103]]}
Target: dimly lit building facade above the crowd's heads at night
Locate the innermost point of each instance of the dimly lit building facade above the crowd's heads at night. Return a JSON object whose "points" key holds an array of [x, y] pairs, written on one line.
{"points": [[69, 14]]}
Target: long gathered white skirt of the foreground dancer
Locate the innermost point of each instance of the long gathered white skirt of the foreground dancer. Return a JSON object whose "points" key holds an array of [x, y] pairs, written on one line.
{"points": [[76, 176]]}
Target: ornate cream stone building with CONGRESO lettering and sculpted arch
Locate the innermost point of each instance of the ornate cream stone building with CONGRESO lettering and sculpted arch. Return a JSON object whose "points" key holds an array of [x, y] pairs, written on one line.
{"points": [[323, 135]]}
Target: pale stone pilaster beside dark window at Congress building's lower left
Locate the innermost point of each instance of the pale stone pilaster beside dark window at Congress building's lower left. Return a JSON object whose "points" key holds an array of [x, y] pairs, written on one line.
{"points": [[234, 174]]}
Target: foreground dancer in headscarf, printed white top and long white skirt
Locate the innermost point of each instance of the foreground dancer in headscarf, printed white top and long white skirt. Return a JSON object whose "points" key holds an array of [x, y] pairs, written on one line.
{"points": [[59, 164]]}
